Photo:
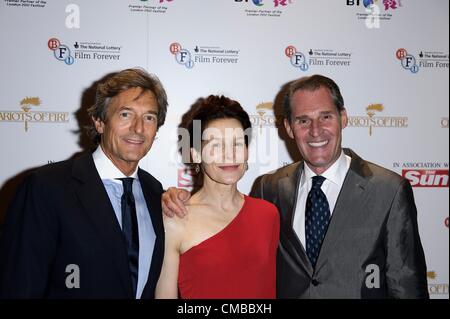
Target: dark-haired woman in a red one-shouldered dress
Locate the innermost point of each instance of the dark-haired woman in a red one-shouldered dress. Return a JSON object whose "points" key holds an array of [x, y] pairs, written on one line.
{"points": [[226, 246]]}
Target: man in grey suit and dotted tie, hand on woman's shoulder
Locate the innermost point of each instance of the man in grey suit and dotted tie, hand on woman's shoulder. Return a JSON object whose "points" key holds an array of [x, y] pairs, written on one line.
{"points": [[348, 227]]}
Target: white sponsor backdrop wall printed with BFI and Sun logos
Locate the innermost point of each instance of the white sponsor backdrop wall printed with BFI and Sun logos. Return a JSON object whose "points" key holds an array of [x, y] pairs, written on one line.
{"points": [[390, 58]]}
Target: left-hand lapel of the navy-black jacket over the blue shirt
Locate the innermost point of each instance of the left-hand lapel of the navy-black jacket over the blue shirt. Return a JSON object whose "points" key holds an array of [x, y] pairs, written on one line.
{"points": [[96, 203]]}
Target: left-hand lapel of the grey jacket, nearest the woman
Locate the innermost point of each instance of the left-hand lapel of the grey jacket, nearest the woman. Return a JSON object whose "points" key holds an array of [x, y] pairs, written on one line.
{"points": [[288, 193]]}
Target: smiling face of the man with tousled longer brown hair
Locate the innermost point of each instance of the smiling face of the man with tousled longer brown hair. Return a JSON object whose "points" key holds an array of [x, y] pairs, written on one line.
{"points": [[130, 128]]}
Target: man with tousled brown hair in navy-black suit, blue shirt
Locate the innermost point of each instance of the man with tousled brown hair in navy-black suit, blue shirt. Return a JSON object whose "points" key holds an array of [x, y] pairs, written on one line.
{"points": [[91, 227]]}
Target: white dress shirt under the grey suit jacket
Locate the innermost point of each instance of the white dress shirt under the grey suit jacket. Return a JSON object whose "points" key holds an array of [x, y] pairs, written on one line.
{"points": [[335, 176]]}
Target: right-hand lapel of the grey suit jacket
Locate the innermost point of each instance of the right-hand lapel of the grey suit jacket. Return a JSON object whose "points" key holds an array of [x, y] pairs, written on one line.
{"points": [[352, 199]]}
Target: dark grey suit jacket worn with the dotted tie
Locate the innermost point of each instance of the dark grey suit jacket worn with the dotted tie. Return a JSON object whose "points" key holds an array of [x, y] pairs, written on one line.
{"points": [[374, 223]]}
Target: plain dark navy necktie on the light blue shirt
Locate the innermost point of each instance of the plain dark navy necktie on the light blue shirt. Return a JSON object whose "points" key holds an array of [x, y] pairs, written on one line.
{"points": [[130, 229]]}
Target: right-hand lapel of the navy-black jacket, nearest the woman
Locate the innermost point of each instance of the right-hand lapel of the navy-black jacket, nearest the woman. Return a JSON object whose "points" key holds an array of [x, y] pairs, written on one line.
{"points": [[153, 200]]}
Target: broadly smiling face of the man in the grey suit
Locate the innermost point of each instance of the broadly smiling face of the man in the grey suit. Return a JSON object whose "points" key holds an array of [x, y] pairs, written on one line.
{"points": [[316, 126]]}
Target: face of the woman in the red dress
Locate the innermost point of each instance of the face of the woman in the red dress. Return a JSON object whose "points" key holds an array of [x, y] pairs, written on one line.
{"points": [[224, 153]]}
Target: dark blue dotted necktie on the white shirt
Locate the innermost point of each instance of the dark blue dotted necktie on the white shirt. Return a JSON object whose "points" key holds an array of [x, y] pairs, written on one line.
{"points": [[317, 217]]}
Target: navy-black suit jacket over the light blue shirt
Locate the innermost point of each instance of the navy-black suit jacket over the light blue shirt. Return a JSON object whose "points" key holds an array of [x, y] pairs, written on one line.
{"points": [[61, 216]]}
